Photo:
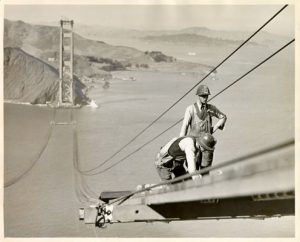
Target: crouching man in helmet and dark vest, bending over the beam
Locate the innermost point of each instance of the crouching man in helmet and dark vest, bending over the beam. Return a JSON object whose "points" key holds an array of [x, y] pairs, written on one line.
{"points": [[184, 155]]}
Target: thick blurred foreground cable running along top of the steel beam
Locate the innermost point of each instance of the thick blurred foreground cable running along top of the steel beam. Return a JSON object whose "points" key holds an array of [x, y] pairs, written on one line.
{"points": [[208, 169]]}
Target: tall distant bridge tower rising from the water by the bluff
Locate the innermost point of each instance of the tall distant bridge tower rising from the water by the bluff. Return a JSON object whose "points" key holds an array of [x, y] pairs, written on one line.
{"points": [[66, 84]]}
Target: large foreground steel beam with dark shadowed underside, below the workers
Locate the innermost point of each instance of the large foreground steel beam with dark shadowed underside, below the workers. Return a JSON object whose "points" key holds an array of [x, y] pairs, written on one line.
{"points": [[209, 197]]}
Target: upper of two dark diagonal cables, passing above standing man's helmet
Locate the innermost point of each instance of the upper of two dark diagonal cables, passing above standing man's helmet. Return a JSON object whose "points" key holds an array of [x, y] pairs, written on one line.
{"points": [[162, 114]]}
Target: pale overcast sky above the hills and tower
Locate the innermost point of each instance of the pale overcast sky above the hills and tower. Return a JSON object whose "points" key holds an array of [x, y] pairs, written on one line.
{"points": [[157, 17]]}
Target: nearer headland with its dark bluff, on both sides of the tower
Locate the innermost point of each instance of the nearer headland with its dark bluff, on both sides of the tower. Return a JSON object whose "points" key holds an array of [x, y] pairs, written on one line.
{"points": [[94, 60]]}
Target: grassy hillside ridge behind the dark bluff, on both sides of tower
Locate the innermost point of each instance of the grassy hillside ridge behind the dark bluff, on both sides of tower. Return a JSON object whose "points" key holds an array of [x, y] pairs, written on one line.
{"points": [[43, 42]]}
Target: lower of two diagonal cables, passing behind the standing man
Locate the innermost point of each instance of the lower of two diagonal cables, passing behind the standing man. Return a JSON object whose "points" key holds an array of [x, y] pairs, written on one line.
{"points": [[255, 67]]}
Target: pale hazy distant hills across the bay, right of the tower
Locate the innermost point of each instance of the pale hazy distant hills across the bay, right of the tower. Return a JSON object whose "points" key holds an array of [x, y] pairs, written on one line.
{"points": [[194, 44]]}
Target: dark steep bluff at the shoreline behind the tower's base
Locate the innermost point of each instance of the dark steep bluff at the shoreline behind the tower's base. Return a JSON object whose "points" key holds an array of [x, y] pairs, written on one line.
{"points": [[30, 80]]}
